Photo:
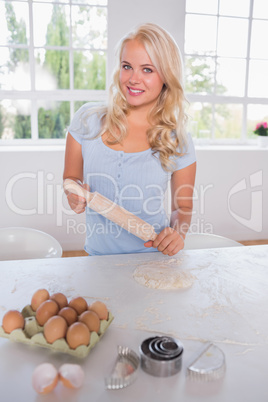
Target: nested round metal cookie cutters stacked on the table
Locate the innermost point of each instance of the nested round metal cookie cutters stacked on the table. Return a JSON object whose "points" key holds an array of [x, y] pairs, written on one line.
{"points": [[161, 356]]}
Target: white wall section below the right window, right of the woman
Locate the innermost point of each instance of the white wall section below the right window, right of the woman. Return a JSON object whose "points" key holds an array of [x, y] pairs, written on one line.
{"points": [[232, 192]]}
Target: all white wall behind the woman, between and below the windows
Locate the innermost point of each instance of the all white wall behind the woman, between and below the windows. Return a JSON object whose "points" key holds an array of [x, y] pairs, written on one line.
{"points": [[31, 178]]}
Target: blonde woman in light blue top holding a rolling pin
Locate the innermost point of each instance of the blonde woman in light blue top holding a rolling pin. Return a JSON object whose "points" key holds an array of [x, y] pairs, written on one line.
{"points": [[129, 150]]}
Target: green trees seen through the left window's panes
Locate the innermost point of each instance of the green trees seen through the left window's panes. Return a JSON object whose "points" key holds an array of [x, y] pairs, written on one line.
{"points": [[89, 73]]}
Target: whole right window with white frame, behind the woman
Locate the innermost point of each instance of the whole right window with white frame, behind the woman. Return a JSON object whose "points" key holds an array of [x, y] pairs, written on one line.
{"points": [[226, 64]]}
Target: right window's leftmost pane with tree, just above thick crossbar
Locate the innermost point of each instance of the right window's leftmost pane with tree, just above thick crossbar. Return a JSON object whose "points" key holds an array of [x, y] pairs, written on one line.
{"points": [[199, 73]]}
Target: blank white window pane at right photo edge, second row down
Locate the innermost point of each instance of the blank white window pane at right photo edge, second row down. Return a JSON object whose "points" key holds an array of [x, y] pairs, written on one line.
{"points": [[259, 32]]}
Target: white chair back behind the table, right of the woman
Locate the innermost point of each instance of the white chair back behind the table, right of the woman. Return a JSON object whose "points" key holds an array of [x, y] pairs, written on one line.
{"points": [[207, 240]]}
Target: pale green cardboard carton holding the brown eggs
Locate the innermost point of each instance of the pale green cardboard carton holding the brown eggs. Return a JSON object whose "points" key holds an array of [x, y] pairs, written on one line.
{"points": [[32, 334]]}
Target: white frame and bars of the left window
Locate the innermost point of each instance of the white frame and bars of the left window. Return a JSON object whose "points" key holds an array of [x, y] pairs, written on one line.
{"points": [[71, 95]]}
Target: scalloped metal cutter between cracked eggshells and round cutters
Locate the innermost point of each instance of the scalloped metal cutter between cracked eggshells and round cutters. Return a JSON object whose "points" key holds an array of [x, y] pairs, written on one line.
{"points": [[125, 369]]}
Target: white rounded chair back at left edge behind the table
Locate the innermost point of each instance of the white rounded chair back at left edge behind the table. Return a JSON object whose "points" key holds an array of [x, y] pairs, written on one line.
{"points": [[19, 243]]}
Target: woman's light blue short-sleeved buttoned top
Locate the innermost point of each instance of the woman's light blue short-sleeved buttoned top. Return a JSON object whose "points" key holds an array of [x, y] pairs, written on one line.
{"points": [[136, 181]]}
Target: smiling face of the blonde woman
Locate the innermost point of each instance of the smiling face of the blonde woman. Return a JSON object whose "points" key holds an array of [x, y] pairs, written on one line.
{"points": [[139, 80]]}
